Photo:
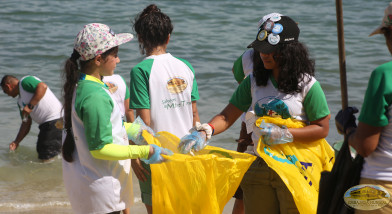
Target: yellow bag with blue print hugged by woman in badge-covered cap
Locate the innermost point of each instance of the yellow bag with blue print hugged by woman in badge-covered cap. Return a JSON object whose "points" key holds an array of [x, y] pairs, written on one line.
{"points": [[299, 164]]}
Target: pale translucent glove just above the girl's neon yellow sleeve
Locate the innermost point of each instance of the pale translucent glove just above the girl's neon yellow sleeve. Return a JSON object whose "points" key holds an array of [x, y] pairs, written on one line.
{"points": [[135, 130]]}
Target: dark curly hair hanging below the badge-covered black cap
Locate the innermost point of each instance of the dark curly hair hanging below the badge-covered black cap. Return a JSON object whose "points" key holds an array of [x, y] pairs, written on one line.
{"points": [[294, 63]]}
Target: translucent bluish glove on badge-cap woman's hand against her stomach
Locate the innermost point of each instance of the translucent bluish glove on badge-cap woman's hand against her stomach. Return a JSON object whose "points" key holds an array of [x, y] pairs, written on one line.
{"points": [[273, 134]]}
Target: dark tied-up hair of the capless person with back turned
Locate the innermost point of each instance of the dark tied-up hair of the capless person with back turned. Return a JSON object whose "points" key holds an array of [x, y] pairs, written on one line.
{"points": [[152, 28]]}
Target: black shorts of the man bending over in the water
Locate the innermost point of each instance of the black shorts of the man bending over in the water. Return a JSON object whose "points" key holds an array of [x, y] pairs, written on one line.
{"points": [[49, 140]]}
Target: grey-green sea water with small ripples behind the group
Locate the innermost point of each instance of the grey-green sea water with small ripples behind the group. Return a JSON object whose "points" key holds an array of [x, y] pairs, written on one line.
{"points": [[37, 37]]}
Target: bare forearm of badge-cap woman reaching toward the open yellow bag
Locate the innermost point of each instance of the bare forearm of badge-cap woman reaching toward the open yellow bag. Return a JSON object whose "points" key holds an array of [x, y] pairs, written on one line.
{"points": [[226, 118]]}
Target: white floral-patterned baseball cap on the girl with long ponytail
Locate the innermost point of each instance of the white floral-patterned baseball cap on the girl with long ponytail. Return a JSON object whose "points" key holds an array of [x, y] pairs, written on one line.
{"points": [[96, 38]]}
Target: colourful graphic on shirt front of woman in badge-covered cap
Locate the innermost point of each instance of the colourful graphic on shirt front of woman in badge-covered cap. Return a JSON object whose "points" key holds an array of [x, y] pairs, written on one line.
{"points": [[271, 106]]}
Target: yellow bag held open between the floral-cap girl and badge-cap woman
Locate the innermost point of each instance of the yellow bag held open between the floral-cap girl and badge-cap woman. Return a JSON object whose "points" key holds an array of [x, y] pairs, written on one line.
{"points": [[203, 183]]}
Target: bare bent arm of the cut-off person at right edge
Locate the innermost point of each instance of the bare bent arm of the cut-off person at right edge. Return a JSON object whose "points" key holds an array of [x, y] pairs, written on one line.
{"points": [[365, 138]]}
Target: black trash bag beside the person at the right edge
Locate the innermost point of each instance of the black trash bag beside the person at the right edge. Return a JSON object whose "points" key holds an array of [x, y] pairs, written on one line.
{"points": [[345, 174]]}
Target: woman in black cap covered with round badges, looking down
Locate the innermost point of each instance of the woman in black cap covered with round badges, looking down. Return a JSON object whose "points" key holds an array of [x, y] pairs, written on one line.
{"points": [[282, 84]]}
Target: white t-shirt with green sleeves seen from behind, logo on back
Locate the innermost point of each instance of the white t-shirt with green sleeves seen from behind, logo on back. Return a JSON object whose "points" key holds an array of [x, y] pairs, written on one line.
{"points": [[167, 86]]}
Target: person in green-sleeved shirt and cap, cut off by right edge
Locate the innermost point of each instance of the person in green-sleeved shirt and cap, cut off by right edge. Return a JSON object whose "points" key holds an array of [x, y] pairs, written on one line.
{"points": [[372, 139]]}
